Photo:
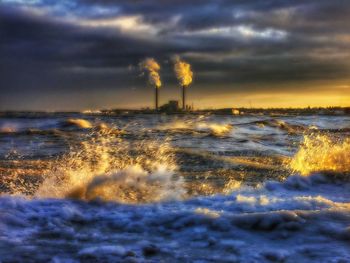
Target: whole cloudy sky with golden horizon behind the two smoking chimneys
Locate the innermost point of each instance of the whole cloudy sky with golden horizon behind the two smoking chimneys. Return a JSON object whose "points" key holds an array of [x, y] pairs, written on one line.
{"points": [[84, 54]]}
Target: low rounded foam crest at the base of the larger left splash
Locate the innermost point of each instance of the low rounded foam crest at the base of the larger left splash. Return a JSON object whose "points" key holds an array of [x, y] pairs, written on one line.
{"points": [[132, 185]]}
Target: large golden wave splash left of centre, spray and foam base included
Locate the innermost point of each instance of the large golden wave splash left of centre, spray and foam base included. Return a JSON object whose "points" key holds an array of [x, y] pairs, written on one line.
{"points": [[108, 168]]}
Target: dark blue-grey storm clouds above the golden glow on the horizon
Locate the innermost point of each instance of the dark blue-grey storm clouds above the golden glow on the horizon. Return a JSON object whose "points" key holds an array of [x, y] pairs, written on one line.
{"points": [[47, 46]]}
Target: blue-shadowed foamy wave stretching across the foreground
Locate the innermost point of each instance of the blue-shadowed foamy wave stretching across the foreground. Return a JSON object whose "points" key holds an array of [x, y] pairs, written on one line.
{"points": [[271, 220]]}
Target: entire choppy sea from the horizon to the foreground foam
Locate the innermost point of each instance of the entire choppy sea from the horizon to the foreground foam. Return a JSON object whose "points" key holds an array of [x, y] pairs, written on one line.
{"points": [[178, 188]]}
